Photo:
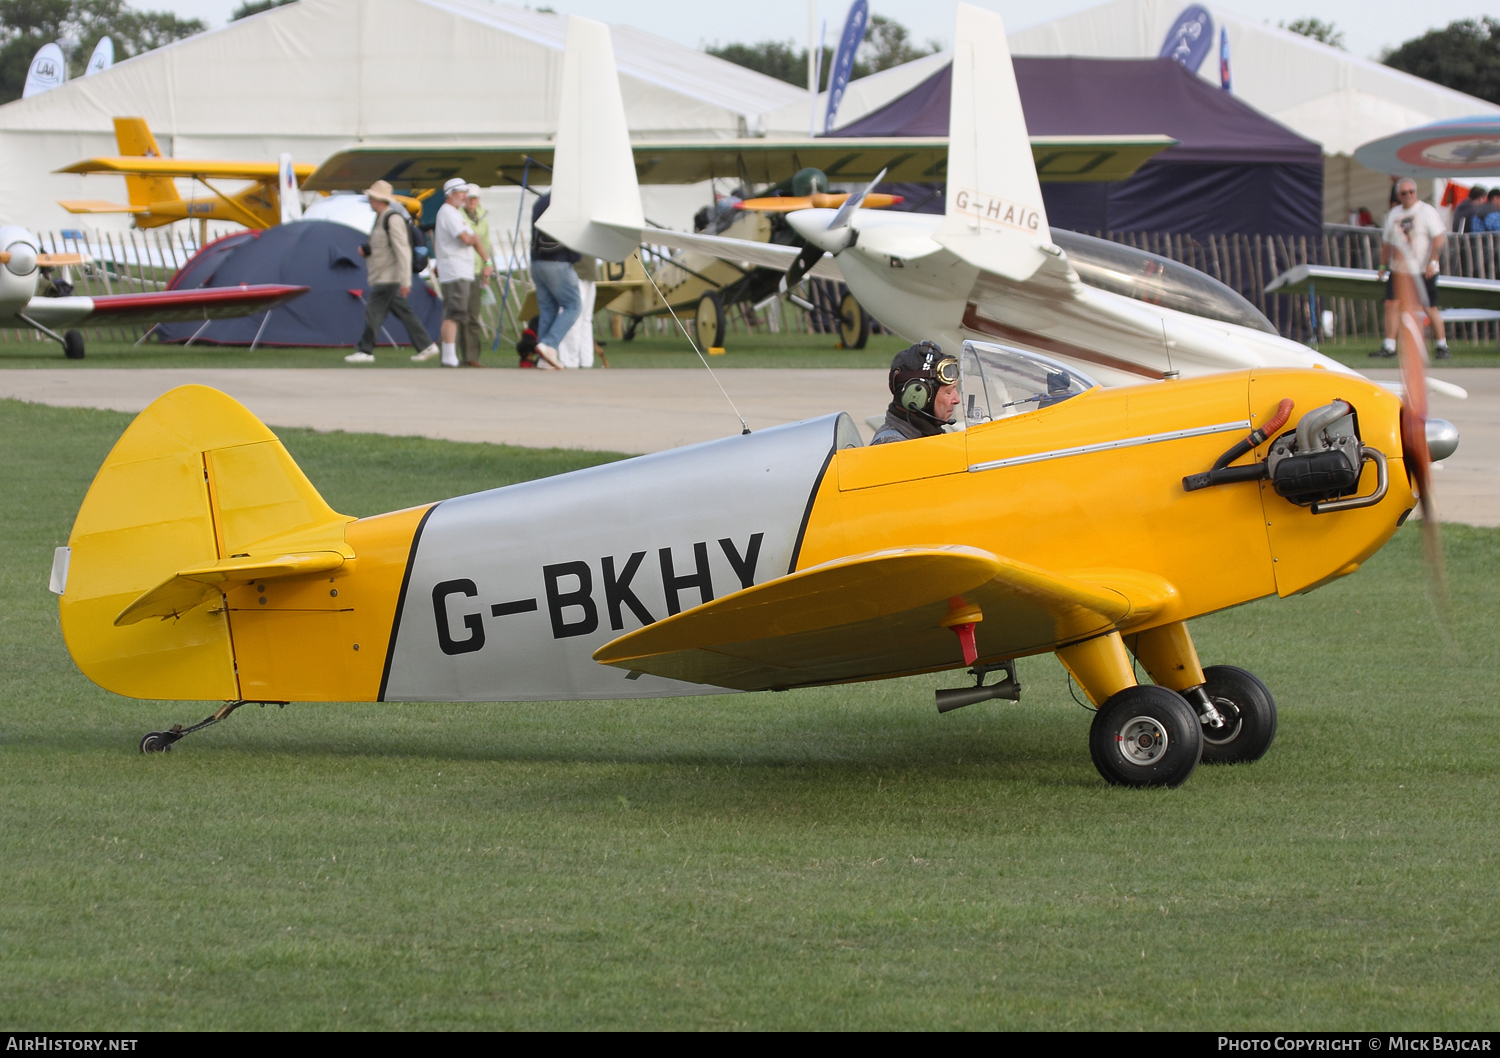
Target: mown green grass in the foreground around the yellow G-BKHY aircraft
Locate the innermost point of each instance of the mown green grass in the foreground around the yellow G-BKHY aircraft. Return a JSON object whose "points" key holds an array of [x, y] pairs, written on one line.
{"points": [[823, 859]]}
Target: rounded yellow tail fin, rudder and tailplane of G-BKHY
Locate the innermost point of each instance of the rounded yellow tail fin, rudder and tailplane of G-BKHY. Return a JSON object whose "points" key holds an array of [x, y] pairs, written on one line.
{"points": [[196, 497]]}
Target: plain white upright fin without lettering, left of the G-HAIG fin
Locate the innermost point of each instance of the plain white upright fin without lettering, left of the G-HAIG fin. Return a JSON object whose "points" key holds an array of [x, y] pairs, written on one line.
{"points": [[596, 200]]}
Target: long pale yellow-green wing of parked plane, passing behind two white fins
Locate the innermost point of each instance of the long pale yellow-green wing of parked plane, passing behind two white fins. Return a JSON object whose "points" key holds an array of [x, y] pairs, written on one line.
{"points": [[851, 160]]}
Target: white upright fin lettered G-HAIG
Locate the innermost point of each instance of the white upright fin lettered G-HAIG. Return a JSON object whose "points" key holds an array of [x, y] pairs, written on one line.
{"points": [[995, 217]]}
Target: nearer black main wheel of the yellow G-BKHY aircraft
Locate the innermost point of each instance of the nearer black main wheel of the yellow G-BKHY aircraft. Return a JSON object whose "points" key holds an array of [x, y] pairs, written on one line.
{"points": [[1147, 738]]}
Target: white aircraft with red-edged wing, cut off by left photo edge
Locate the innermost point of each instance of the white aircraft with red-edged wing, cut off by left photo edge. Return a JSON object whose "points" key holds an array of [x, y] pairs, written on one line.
{"points": [[20, 307]]}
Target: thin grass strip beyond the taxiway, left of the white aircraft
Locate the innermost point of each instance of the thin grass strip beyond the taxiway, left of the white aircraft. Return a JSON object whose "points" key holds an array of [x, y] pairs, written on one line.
{"points": [[785, 350]]}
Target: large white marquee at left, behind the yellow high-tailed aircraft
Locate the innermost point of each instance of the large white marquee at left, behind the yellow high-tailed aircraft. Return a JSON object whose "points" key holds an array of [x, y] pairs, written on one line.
{"points": [[316, 76]]}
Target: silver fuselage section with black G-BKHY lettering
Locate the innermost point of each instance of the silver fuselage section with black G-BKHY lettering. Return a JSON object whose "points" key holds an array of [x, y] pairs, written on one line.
{"points": [[511, 592]]}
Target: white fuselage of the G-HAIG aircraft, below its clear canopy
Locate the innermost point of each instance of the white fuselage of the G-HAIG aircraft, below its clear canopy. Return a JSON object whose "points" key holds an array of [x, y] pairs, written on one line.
{"points": [[923, 290]]}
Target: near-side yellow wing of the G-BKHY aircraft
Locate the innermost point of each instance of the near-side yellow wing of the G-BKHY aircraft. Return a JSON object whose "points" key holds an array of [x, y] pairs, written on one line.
{"points": [[881, 615]]}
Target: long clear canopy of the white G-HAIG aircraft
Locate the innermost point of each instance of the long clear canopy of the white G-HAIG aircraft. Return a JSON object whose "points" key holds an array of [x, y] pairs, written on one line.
{"points": [[1156, 280]]}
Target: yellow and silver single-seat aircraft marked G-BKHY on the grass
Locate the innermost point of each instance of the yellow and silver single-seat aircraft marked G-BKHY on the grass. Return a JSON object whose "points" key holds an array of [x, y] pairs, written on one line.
{"points": [[1066, 518]]}
